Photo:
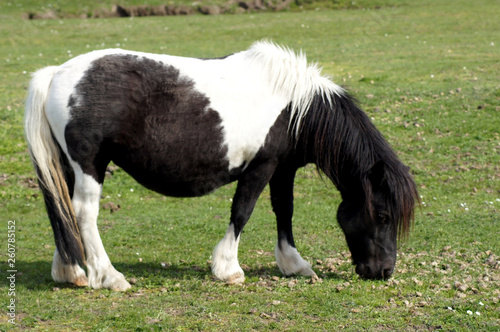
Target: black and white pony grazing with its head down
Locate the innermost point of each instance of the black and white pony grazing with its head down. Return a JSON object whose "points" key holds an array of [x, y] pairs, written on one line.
{"points": [[185, 126]]}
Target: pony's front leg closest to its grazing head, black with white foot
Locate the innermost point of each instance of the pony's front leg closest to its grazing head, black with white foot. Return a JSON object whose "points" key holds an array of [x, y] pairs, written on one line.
{"points": [[287, 257]]}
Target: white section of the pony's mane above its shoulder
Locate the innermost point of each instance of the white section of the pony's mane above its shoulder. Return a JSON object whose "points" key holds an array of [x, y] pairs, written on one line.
{"points": [[294, 78]]}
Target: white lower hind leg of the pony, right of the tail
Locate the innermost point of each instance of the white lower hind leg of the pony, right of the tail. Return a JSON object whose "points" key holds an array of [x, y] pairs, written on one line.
{"points": [[101, 273]]}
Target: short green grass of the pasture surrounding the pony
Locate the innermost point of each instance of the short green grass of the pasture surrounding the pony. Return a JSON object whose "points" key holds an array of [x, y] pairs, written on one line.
{"points": [[426, 72]]}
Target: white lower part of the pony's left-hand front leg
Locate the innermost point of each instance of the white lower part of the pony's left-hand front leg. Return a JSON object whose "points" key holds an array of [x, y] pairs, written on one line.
{"points": [[225, 264]]}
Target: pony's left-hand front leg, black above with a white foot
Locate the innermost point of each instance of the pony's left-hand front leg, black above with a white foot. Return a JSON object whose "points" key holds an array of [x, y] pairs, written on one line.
{"points": [[225, 264]]}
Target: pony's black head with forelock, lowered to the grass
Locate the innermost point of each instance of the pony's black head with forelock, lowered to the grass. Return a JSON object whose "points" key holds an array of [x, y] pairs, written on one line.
{"points": [[372, 218]]}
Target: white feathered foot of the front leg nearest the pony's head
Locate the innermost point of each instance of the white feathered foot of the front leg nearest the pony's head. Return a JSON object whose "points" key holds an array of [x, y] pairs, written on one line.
{"points": [[290, 262]]}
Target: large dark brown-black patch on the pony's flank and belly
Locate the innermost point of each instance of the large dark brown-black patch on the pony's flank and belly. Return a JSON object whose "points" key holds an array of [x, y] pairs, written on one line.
{"points": [[148, 119]]}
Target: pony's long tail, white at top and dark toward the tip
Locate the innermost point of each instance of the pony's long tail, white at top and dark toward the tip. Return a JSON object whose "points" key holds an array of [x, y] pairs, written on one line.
{"points": [[52, 169]]}
